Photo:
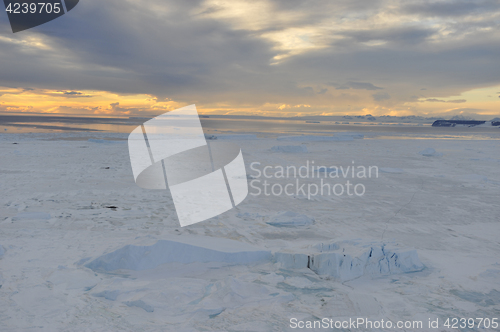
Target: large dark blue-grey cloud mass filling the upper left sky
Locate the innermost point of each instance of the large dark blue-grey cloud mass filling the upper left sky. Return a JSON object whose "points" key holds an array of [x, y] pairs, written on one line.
{"points": [[119, 47]]}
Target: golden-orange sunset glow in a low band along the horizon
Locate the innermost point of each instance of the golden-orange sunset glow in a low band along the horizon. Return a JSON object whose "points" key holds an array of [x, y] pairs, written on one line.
{"points": [[484, 101]]}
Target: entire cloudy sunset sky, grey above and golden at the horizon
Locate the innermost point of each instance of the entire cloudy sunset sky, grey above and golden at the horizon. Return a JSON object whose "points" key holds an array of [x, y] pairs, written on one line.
{"points": [[261, 57]]}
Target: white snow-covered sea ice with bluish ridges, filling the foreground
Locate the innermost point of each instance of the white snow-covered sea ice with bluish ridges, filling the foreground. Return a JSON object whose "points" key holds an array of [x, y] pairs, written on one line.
{"points": [[82, 248]]}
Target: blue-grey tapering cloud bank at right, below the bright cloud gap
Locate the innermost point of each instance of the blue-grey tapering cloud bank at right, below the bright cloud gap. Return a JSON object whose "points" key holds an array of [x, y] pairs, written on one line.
{"points": [[453, 66]]}
